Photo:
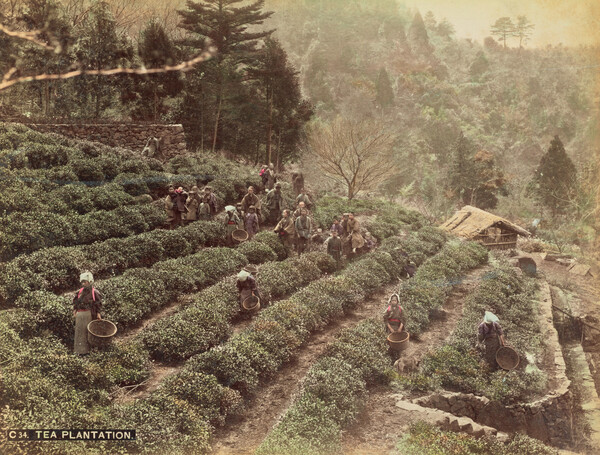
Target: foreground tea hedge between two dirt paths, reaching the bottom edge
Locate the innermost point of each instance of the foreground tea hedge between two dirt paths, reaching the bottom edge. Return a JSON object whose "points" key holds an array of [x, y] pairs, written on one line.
{"points": [[333, 394]]}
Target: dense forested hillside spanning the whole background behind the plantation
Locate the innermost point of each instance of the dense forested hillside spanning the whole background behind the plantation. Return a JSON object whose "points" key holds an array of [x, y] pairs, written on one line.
{"points": [[464, 122]]}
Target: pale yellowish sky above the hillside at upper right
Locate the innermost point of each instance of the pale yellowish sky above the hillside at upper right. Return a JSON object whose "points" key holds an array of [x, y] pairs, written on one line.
{"points": [[571, 22]]}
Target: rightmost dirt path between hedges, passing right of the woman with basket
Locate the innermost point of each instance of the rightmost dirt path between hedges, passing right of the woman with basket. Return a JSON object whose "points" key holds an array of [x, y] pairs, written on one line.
{"points": [[381, 425]]}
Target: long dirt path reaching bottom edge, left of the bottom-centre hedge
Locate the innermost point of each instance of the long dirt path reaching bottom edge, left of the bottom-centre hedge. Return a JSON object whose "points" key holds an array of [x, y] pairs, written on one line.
{"points": [[244, 433]]}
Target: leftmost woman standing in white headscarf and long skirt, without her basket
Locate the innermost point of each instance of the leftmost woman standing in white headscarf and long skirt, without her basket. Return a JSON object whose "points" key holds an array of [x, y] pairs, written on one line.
{"points": [[87, 305]]}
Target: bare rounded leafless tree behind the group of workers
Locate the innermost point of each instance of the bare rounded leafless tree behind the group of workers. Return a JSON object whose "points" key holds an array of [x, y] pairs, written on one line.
{"points": [[359, 154]]}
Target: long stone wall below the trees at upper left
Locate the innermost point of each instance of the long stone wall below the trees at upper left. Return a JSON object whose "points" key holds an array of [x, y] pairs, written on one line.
{"points": [[131, 136]]}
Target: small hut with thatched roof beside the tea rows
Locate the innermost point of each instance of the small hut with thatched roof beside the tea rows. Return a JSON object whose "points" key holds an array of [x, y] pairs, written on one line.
{"points": [[476, 224]]}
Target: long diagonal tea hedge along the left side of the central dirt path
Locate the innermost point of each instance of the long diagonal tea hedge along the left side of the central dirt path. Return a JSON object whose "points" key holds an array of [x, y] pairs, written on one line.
{"points": [[261, 349]]}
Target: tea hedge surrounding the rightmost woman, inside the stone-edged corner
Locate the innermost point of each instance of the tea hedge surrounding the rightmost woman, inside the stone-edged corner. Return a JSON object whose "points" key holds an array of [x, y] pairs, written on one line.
{"points": [[456, 365]]}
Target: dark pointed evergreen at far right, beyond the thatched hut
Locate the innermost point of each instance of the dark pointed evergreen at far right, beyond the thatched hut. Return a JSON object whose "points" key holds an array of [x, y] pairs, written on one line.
{"points": [[555, 178]]}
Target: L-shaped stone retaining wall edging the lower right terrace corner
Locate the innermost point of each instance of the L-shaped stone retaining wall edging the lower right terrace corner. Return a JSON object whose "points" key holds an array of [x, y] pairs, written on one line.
{"points": [[548, 419]]}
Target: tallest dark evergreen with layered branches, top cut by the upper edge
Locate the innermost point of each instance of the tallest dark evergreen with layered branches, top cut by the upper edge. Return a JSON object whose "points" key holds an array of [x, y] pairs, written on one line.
{"points": [[226, 25]]}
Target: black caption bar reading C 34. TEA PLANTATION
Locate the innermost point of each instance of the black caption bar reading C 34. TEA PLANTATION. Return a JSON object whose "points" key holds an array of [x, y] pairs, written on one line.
{"points": [[70, 435]]}
